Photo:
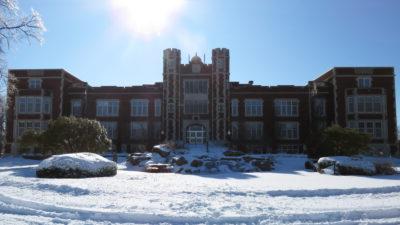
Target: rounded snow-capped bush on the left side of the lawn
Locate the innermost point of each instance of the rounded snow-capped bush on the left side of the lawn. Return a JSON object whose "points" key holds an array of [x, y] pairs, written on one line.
{"points": [[76, 165]]}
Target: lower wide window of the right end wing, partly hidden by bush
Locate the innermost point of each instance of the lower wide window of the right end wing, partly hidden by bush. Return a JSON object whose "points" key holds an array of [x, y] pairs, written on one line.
{"points": [[372, 127]]}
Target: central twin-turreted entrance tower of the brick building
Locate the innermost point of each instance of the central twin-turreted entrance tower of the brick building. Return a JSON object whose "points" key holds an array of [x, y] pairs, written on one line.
{"points": [[196, 97]]}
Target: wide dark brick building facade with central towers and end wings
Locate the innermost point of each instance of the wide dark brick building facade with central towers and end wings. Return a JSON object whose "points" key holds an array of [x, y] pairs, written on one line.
{"points": [[196, 103]]}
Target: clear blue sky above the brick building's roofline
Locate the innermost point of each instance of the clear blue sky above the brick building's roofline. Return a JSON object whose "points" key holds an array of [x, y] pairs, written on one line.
{"points": [[271, 42]]}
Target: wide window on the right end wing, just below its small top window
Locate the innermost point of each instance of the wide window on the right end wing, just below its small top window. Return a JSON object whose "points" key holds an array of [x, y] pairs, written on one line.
{"points": [[365, 104]]}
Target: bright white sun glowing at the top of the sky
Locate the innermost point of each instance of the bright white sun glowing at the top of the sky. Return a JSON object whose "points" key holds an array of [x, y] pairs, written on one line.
{"points": [[146, 17]]}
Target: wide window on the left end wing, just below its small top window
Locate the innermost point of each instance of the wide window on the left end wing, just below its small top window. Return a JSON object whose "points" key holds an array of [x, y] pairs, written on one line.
{"points": [[33, 104]]}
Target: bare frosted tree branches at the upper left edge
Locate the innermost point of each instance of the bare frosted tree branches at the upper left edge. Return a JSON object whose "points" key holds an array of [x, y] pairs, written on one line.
{"points": [[15, 27]]}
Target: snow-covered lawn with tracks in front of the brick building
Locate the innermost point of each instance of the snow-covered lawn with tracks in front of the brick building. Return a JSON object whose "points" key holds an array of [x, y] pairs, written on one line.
{"points": [[287, 195]]}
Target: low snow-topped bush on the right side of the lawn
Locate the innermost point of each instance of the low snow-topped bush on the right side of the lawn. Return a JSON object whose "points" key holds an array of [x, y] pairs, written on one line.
{"points": [[344, 165]]}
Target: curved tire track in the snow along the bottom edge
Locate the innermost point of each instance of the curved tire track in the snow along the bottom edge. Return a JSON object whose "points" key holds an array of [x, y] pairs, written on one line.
{"points": [[14, 206]]}
